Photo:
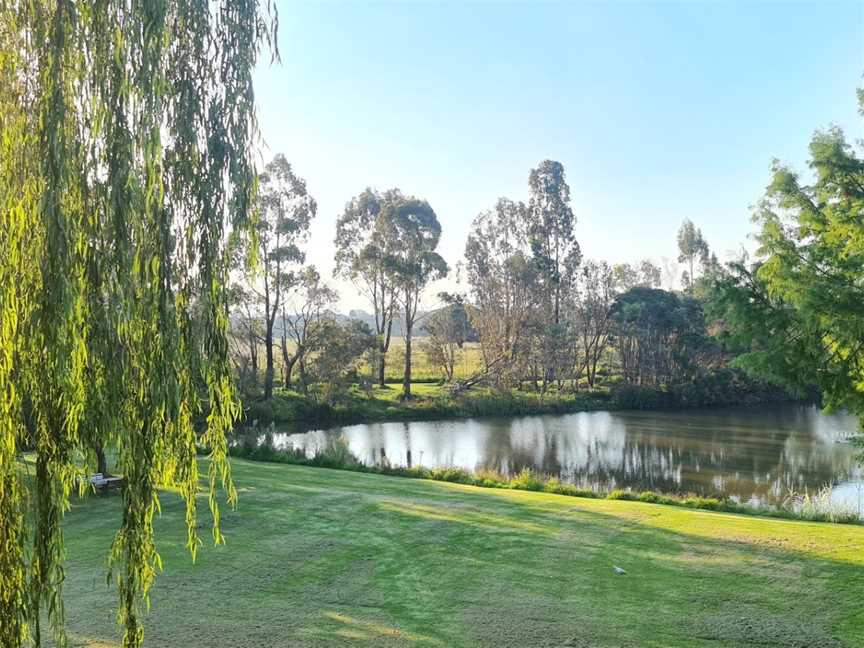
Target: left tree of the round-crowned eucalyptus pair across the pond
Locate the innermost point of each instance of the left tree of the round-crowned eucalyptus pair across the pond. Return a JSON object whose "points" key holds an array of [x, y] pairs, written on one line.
{"points": [[364, 238]]}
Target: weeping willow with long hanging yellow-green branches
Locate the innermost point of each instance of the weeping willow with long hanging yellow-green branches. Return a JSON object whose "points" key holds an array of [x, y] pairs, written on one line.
{"points": [[125, 171]]}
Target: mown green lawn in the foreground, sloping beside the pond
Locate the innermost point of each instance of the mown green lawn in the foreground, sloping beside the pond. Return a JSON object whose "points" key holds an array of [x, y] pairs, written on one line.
{"points": [[318, 557]]}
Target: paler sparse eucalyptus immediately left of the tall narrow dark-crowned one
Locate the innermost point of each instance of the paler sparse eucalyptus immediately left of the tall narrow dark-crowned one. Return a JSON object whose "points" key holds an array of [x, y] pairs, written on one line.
{"points": [[503, 280]]}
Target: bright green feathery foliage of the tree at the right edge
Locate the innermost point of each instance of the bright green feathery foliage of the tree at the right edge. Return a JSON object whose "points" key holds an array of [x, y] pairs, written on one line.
{"points": [[797, 313]]}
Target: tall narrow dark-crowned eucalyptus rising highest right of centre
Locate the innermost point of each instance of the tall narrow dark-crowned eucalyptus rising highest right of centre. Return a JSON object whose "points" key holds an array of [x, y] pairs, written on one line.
{"points": [[550, 232]]}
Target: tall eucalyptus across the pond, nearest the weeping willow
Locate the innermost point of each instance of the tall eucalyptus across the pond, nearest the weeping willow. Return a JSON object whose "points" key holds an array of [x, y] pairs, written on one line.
{"points": [[285, 212]]}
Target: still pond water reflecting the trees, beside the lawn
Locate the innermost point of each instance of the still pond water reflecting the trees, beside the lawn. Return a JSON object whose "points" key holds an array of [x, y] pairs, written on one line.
{"points": [[754, 454]]}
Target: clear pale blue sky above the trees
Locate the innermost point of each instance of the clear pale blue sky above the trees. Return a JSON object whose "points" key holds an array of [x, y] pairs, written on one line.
{"points": [[659, 112]]}
